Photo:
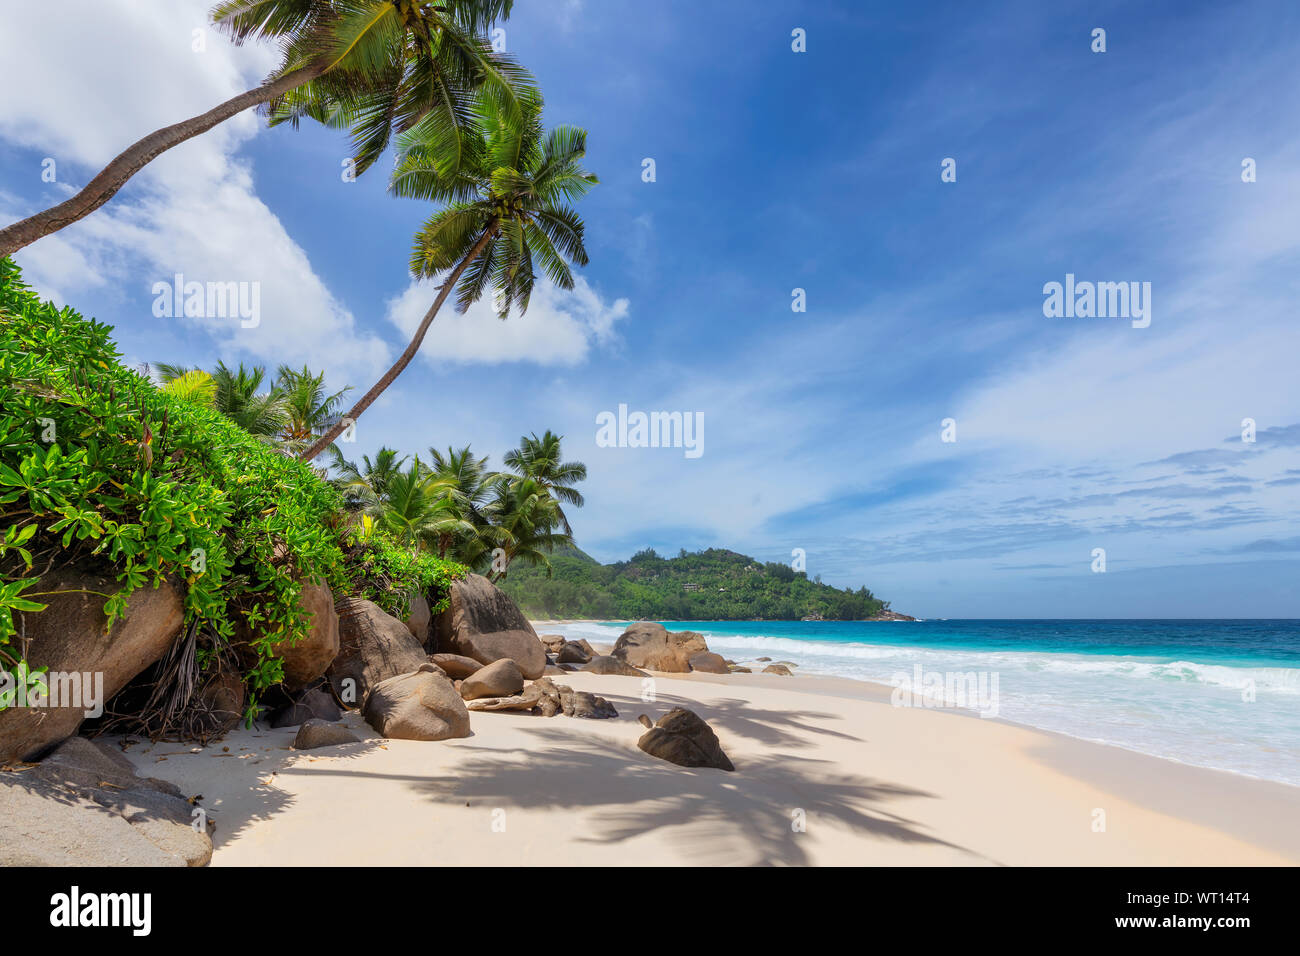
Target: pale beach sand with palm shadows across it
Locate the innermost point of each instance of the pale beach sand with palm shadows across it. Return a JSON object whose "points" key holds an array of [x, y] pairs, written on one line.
{"points": [[869, 782]]}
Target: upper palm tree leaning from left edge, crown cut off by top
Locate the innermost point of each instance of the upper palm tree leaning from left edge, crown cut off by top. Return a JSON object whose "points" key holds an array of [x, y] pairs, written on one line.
{"points": [[376, 67]]}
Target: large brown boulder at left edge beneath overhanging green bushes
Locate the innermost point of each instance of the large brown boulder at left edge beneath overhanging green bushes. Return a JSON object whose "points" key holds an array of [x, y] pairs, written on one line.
{"points": [[70, 639]]}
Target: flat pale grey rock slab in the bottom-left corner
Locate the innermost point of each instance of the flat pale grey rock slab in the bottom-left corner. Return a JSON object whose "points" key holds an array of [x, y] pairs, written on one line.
{"points": [[85, 806]]}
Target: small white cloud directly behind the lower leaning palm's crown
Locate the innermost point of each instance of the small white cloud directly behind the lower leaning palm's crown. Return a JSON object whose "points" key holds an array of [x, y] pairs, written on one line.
{"points": [[560, 327]]}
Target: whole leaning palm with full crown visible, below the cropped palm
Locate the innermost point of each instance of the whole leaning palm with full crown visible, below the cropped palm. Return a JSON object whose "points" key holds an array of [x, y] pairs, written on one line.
{"points": [[506, 196]]}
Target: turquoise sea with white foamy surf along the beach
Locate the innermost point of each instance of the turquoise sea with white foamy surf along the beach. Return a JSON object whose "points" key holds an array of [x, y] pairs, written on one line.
{"points": [[1217, 694]]}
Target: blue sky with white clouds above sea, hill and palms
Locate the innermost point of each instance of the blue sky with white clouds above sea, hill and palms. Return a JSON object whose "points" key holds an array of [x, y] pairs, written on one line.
{"points": [[777, 171]]}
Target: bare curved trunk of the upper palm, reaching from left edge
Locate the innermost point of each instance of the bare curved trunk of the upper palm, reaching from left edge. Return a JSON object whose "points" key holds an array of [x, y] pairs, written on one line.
{"points": [[140, 155]]}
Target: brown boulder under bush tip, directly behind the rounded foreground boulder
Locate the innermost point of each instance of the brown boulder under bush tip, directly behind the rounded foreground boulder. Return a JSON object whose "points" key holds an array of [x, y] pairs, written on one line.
{"points": [[374, 647]]}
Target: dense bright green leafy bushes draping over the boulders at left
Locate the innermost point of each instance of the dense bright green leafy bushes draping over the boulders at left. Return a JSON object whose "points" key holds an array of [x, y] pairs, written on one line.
{"points": [[101, 469]]}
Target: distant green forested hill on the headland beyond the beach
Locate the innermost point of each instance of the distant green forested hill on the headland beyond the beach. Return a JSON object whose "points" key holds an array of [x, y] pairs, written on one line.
{"points": [[704, 586]]}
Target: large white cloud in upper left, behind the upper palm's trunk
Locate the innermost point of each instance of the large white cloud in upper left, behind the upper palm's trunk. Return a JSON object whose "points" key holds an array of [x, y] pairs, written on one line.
{"points": [[196, 209]]}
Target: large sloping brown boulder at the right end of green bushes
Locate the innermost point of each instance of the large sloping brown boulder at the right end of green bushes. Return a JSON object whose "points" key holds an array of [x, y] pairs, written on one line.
{"points": [[482, 622]]}
